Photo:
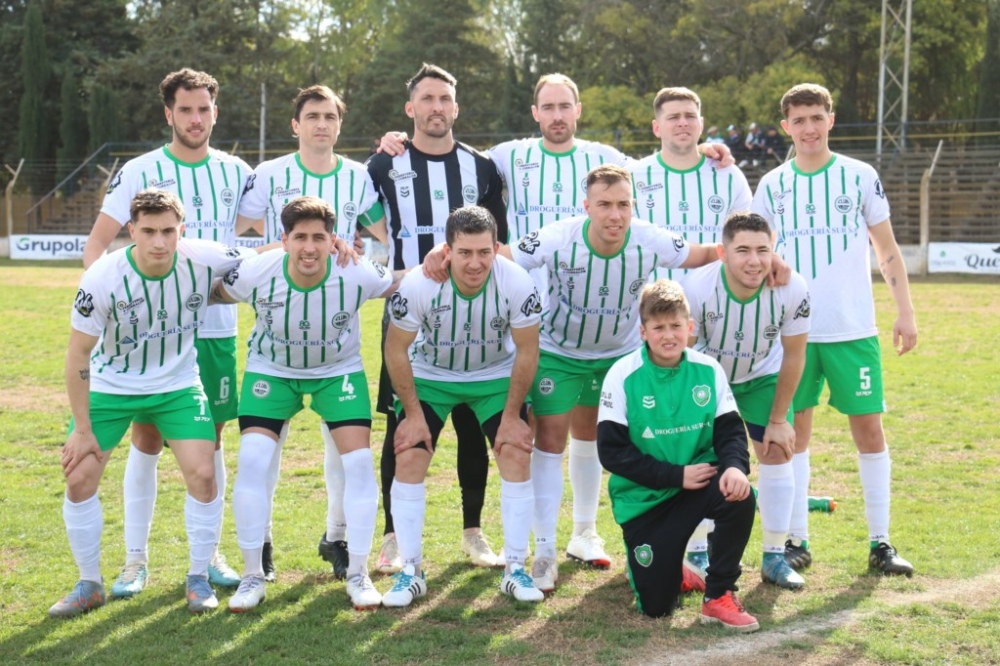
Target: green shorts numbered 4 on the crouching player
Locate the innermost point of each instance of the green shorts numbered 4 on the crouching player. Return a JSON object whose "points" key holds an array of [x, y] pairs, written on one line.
{"points": [[341, 398]]}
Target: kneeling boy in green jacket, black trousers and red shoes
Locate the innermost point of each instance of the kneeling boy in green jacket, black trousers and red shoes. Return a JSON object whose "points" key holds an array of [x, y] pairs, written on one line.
{"points": [[675, 445]]}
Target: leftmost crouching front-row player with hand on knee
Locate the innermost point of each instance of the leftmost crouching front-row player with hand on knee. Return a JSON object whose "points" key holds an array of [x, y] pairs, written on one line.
{"points": [[141, 307]]}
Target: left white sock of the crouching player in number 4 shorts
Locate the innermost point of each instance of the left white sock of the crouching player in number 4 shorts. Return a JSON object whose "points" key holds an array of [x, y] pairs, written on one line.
{"points": [[251, 500]]}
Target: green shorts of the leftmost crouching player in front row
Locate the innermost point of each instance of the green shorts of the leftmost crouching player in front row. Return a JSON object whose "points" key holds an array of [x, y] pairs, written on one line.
{"points": [[178, 415]]}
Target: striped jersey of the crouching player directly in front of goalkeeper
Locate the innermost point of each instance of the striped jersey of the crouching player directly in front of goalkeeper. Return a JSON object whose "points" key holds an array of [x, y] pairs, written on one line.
{"points": [[465, 338]]}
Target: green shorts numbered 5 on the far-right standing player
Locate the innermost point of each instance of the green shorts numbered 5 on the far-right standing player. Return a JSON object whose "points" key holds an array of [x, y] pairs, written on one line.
{"points": [[854, 372]]}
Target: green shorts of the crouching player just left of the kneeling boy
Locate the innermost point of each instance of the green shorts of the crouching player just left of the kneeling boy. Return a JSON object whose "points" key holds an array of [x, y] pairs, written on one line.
{"points": [[563, 383]]}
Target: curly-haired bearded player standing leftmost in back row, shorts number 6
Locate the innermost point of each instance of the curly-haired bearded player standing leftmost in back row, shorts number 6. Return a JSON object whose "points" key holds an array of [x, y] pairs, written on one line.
{"points": [[209, 183]]}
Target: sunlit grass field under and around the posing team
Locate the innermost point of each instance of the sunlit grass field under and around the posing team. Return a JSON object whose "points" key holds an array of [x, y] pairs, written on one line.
{"points": [[944, 399]]}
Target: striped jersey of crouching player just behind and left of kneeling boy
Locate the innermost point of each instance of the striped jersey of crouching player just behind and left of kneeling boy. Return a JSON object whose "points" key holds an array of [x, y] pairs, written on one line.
{"points": [[593, 309]]}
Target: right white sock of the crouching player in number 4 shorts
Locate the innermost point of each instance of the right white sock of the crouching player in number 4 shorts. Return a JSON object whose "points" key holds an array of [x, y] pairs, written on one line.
{"points": [[360, 503]]}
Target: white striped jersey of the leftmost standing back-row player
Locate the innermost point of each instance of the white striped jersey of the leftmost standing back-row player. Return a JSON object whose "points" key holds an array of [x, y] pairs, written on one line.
{"points": [[210, 191]]}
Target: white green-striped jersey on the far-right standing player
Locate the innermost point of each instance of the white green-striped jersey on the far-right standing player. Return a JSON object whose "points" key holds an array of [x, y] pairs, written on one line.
{"points": [[822, 220]]}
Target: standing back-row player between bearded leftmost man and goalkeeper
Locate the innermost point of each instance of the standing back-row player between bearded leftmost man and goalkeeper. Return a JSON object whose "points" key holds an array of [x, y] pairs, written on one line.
{"points": [[315, 170]]}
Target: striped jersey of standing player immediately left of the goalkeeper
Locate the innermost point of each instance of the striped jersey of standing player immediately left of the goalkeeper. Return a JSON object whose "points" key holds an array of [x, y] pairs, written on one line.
{"points": [[348, 189]]}
